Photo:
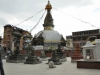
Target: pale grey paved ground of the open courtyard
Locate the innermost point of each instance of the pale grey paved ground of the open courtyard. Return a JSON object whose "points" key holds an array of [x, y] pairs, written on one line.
{"points": [[67, 68]]}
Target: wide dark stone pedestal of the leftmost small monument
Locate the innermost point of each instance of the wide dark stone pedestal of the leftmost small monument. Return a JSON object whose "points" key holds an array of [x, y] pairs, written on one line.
{"points": [[17, 58]]}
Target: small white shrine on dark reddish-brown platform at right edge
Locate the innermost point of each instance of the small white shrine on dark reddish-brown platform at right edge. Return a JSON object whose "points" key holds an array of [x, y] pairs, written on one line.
{"points": [[91, 56]]}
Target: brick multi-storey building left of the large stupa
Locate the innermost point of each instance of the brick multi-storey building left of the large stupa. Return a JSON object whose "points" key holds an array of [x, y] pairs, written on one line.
{"points": [[13, 37]]}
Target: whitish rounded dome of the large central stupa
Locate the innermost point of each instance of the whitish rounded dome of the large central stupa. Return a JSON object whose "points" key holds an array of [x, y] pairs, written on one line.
{"points": [[49, 35]]}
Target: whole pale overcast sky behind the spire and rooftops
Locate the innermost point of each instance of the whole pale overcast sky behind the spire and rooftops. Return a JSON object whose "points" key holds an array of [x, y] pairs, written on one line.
{"points": [[14, 11]]}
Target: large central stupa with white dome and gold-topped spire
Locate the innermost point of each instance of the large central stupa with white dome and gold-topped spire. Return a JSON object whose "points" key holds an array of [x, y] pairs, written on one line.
{"points": [[48, 37]]}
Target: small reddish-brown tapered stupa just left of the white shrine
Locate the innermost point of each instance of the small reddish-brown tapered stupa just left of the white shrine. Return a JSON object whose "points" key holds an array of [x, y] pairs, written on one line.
{"points": [[77, 54]]}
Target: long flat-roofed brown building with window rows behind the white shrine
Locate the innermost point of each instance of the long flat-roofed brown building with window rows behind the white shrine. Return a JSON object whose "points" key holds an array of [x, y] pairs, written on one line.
{"points": [[82, 36]]}
